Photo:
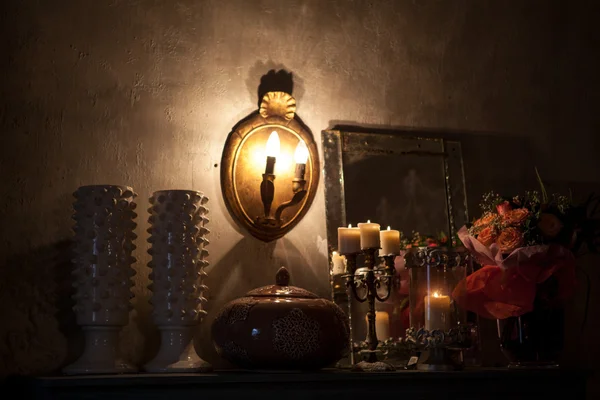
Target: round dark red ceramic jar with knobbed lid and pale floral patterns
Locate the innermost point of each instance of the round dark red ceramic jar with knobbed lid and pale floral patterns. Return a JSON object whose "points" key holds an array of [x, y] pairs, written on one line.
{"points": [[281, 327]]}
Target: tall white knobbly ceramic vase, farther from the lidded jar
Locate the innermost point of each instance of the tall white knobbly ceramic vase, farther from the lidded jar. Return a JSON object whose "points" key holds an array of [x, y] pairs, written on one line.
{"points": [[102, 275]]}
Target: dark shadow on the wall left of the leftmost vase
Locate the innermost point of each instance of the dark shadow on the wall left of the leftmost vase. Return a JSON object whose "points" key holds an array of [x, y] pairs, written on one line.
{"points": [[35, 308]]}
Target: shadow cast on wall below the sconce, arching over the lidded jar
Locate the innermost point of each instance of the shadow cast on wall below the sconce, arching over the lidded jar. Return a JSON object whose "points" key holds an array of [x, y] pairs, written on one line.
{"points": [[239, 271]]}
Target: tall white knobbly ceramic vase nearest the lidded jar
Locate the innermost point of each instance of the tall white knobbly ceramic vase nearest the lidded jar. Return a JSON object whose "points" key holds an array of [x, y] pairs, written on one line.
{"points": [[178, 238]]}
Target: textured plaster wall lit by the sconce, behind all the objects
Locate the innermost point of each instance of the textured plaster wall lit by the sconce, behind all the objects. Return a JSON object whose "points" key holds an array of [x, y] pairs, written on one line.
{"points": [[144, 93]]}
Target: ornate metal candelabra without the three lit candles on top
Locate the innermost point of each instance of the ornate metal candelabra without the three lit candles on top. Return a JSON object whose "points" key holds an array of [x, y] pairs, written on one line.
{"points": [[377, 283]]}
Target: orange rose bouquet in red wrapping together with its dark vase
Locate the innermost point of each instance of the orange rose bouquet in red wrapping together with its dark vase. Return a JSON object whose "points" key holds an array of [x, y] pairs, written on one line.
{"points": [[526, 246]]}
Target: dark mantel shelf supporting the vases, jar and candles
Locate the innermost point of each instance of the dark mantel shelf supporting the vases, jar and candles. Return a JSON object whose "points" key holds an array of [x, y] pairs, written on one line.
{"points": [[329, 384]]}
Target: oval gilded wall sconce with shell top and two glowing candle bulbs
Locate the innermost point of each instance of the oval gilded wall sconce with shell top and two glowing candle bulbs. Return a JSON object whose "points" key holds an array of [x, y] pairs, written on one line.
{"points": [[270, 169]]}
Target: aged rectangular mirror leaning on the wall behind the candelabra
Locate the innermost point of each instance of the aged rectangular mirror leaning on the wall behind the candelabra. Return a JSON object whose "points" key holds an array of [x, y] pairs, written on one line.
{"points": [[397, 179]]}
